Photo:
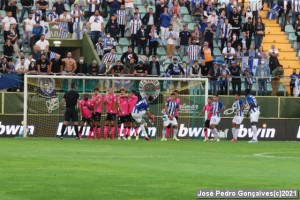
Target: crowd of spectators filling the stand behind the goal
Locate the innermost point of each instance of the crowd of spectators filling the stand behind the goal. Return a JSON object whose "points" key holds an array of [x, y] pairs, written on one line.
{"points": [[190, 51]]}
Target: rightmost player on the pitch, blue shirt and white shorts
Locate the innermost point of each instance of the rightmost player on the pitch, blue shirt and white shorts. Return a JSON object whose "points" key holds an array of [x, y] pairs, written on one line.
{"points": [[254, 114]]}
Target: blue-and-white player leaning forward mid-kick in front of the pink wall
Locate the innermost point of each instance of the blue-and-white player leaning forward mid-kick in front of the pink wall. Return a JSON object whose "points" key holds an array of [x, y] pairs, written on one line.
{"points": [[140, 110]]}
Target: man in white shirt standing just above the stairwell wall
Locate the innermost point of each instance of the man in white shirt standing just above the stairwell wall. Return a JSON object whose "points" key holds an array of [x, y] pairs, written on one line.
{"points": [[96, 26]]}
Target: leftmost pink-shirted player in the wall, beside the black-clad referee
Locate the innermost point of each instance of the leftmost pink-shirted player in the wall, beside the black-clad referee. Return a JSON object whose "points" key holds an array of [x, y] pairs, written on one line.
{"points": [[86, 107]]}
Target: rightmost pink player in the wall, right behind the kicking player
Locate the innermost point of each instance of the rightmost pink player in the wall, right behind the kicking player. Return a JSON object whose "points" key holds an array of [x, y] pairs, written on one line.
{"points": [[132, 101]]}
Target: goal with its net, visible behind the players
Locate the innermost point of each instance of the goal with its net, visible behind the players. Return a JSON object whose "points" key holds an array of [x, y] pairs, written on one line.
{"points": [[43, 95]]}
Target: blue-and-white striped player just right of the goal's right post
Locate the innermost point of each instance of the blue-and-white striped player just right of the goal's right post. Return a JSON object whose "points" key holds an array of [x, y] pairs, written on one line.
{"points": [[217, 108]]}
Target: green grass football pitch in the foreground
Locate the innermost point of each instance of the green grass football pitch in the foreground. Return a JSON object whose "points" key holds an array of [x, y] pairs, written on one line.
{"points": [[42, 169]]}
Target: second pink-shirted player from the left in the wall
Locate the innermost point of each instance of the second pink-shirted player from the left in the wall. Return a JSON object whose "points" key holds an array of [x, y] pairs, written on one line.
{"points": [[96, 116]]}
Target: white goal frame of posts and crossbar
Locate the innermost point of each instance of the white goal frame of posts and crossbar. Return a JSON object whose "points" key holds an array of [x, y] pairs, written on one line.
{"points": [[26, 76]]}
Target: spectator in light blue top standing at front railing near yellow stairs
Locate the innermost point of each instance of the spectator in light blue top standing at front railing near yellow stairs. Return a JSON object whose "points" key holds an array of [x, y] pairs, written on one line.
{"points": [[262, 74]]}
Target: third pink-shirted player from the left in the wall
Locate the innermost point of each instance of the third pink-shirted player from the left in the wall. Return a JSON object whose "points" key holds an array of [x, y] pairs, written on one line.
{"points": [[110, 101]]}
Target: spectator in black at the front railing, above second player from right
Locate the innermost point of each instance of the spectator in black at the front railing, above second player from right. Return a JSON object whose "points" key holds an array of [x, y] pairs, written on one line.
{"points": [[235, 71]]}
